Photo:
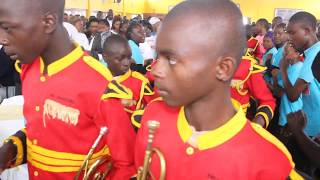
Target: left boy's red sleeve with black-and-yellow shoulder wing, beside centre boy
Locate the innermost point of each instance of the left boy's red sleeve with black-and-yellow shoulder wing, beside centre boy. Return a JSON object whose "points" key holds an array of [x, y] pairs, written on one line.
{"points": [[120, 136]]}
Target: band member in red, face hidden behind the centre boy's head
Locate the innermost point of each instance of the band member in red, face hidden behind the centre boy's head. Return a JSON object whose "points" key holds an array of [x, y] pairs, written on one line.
{"points": [[248, 82]]}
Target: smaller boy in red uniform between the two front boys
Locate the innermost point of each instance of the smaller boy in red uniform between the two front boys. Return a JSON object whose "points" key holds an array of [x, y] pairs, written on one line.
{"points": [[117, 54]]}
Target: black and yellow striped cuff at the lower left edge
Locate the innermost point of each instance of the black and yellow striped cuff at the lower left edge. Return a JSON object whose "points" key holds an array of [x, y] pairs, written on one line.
{"points": [[19, 141]]}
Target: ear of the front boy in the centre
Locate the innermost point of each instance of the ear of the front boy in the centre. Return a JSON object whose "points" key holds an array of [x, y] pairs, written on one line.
{"points": [[225, 68]]}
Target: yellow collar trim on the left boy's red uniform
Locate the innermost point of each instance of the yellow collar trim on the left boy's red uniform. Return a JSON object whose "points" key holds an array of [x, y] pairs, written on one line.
{"points": [[62, 63]]}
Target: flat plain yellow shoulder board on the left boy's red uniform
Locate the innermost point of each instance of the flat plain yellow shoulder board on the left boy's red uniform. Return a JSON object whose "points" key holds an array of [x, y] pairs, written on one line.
{"points": [[97, 66]]}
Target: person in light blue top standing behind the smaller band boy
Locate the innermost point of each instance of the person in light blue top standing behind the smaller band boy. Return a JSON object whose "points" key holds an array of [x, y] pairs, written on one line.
{"points": [[135, 36]]}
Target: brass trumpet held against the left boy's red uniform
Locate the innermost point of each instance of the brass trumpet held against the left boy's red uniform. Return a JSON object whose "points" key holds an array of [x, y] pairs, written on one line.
{"points": [[89, 170]]}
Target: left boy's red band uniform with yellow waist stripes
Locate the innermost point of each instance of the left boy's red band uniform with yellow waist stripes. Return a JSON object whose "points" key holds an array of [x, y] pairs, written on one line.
{"points": [[65, 109]]}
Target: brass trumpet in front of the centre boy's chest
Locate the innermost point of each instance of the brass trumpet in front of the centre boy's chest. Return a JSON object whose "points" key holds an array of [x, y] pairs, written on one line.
{"points": [[143, 171]]}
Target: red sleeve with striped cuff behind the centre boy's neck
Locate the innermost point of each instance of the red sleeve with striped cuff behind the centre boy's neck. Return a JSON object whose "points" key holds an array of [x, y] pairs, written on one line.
{"points": [[259, 91]]}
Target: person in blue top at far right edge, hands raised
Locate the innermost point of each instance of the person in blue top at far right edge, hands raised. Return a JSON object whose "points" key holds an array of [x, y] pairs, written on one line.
{"points": [[302, 32]]}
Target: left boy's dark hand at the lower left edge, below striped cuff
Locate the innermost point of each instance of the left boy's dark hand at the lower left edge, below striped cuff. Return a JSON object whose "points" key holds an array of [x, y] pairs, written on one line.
{"points": [[7, 154]]}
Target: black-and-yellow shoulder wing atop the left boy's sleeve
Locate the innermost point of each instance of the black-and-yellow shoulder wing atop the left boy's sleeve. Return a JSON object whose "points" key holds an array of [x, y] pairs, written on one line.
{"points": [[116, 90]]}
